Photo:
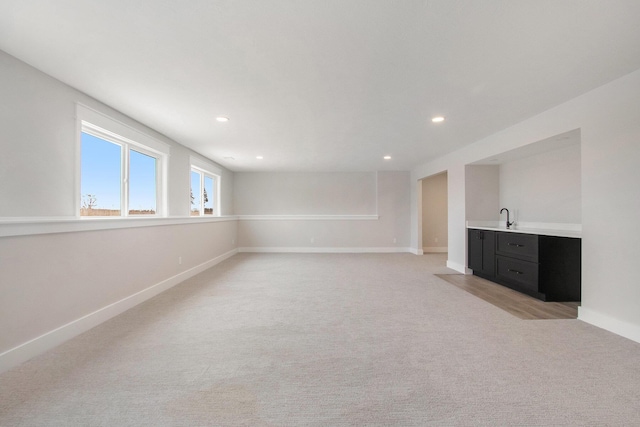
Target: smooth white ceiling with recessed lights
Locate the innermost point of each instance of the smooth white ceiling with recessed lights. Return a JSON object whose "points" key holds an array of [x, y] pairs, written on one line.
{"points": [[326, 85]]}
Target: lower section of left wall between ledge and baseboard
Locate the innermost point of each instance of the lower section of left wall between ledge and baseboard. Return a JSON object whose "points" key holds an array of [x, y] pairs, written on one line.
{"points": [[52, 280]]}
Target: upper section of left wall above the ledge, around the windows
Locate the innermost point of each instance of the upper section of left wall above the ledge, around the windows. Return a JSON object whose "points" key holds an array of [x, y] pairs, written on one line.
{"points": [[39, 160]]}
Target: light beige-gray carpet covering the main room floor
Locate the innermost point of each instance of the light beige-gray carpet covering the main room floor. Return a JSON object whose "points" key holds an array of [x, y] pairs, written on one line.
{"points": [[327, 340]]}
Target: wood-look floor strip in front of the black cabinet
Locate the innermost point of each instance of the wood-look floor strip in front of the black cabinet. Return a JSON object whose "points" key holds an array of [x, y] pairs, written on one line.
{"points": [[516, 303]]}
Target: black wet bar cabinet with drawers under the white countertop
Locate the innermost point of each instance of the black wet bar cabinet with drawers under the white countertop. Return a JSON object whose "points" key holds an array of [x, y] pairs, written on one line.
{"points": [[545, 267]]}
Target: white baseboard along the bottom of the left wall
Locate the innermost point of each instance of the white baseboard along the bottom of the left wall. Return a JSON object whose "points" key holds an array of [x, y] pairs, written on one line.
{"points": [[51, 339]]}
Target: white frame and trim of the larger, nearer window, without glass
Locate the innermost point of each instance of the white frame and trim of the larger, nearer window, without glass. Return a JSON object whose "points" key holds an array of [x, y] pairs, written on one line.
{"points": [[102, 126]]}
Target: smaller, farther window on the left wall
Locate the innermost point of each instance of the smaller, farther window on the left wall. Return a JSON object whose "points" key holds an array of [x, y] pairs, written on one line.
{"points": [[205, 189]]}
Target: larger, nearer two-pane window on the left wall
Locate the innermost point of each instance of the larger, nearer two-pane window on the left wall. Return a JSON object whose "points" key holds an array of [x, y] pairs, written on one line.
{"points": [[119, 176]]}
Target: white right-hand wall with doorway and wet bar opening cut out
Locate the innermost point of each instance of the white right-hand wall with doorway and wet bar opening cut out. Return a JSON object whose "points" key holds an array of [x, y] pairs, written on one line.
{"points": [[610, 154]]}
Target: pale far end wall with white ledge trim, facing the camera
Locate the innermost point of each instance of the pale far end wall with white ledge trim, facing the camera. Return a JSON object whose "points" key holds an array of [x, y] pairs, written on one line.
{"points": [[337, 233]]}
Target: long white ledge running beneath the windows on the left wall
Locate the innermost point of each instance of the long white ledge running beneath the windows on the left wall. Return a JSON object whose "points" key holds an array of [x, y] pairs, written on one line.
{"points": [[30, 226]]}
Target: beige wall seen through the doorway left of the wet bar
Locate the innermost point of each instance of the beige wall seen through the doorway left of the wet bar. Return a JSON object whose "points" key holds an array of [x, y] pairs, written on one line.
{"points": [[434, 213]]}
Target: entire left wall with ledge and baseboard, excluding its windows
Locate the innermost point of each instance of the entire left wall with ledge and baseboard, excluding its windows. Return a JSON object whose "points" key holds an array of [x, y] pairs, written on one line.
{"points": [[55, 285]]}
